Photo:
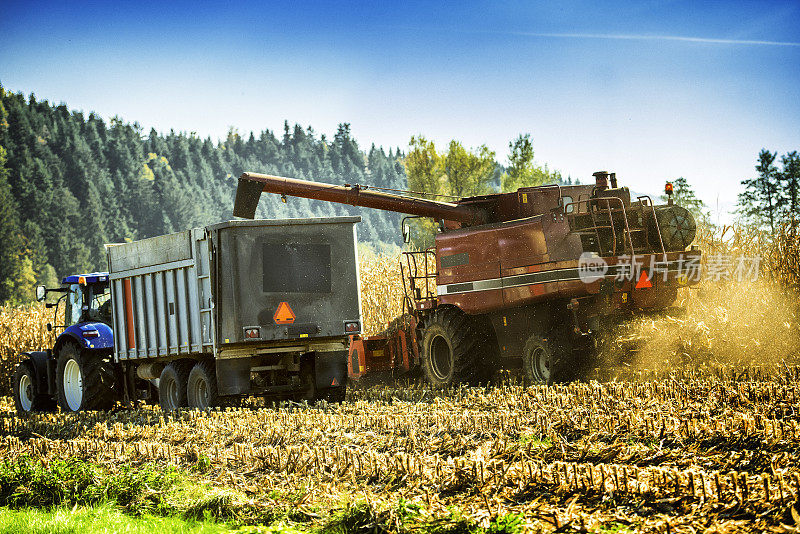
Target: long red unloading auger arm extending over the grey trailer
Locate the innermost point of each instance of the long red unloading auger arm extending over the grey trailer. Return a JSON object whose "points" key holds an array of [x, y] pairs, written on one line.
{"points": [[251, 185]]}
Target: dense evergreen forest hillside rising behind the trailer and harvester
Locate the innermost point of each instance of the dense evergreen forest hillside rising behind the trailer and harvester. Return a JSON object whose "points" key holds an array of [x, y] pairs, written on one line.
{"points": [[71, 182]]}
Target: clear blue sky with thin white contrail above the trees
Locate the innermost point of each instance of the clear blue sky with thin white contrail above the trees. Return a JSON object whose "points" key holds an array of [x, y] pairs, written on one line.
{"points": [[651, 90]]}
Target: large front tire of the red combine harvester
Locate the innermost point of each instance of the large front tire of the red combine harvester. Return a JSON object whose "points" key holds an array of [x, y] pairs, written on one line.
{"points": [[454, 349]]}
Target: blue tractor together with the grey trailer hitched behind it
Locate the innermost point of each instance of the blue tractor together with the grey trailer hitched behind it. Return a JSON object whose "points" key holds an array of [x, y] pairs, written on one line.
{"points": [[203, 316]]}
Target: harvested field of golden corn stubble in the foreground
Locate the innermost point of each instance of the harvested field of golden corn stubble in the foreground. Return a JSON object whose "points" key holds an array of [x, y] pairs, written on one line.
{"points": [[710, 451]]}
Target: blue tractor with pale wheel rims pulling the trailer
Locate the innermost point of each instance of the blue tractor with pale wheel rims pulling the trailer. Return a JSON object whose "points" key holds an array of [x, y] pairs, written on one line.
{"points": [[79, 372]]}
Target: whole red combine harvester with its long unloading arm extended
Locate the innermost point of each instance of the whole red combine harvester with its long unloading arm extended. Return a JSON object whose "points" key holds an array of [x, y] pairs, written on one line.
{"points": [[531, 278]]}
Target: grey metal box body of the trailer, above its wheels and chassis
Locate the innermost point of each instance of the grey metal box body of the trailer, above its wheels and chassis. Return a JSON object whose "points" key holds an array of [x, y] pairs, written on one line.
{"points": [[165, 292]]}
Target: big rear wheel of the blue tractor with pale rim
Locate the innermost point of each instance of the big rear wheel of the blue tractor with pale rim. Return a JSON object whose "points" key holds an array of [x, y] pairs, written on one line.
{"points": [[85, 381]]}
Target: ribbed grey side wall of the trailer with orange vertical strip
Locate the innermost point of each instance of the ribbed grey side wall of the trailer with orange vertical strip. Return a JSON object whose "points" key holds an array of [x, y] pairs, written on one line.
{"points": [[161, 305]]}
